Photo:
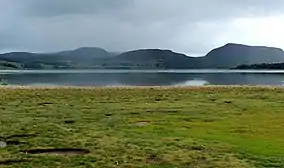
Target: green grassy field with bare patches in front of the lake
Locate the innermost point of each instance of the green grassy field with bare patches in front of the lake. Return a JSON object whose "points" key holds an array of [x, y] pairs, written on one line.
{"points": [[234, 127]]}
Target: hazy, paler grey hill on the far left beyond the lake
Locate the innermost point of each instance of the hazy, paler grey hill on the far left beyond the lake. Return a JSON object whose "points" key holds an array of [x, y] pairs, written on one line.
{"points": [[81, 57]]}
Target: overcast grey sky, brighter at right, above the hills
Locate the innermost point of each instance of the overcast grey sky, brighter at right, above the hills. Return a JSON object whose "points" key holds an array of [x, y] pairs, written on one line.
{"points": [[193, 27]]}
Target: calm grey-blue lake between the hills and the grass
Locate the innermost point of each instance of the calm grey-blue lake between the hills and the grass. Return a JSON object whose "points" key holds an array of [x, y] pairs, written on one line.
{"points": [[142, 77]]}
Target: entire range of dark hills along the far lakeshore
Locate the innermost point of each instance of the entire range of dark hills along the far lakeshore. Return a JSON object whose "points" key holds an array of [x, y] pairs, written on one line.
{"points": [[228, 56]]}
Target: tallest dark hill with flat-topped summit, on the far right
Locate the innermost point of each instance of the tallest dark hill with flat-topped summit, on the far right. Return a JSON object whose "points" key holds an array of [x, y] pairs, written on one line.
{"points": [[232, 55]]}
